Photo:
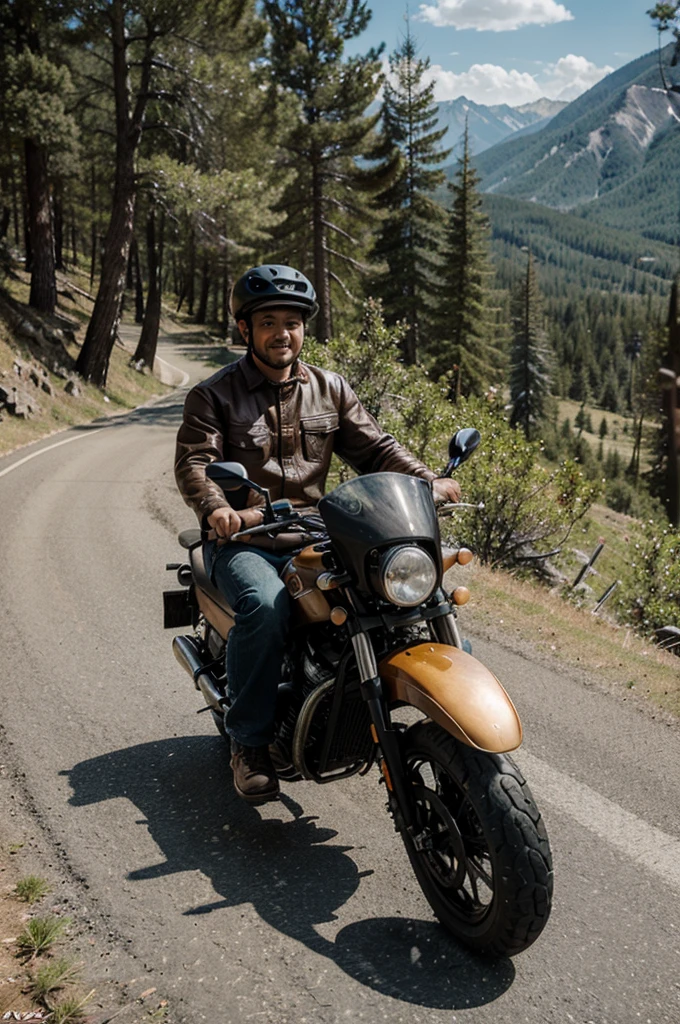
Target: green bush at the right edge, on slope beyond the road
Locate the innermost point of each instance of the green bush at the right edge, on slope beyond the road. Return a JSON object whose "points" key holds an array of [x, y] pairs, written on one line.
{"points": [[651, 596]]}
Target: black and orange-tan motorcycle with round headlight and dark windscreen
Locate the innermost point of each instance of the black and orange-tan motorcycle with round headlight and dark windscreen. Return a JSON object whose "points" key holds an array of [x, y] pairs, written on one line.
{"points": [[374, 633]]}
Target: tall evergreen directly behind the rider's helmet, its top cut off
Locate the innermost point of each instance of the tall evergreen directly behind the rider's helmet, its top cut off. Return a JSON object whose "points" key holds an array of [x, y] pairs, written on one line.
{"points": [[327, 207]]}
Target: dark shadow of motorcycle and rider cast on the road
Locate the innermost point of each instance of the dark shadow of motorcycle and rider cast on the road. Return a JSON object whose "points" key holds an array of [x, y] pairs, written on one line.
{"points": [[288, 868]]}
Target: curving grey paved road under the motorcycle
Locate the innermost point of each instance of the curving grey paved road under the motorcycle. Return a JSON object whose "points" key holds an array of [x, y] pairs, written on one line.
{"points": [[305, 911]]}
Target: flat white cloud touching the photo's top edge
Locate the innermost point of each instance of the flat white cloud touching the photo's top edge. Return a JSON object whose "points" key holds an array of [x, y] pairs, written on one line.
{"points": [[494, 16]]}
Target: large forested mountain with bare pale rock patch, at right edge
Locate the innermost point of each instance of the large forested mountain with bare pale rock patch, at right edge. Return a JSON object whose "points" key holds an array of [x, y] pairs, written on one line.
{"points": [[612, 155]]}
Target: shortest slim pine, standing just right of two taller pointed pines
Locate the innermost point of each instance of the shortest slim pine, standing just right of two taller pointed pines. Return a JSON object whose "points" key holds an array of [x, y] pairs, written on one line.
{"points": [[530, 376]]}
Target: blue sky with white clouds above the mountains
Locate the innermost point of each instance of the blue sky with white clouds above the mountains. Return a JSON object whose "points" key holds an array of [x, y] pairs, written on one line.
{"points": [[514, 52]]}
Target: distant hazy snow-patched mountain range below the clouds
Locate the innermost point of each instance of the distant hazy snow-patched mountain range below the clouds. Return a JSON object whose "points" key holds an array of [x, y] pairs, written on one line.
{"points": [[490, 125]]}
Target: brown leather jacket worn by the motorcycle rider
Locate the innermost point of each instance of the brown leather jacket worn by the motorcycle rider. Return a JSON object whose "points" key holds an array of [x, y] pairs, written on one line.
{"points": [[283, 435]]}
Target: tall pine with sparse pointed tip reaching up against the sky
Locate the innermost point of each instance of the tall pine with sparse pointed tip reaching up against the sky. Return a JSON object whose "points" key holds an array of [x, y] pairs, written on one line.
{"points": [[412, 234]]}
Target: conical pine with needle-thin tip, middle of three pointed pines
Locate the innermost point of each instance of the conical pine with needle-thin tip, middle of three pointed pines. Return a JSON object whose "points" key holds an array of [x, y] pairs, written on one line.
{"points": [[465, 350]]}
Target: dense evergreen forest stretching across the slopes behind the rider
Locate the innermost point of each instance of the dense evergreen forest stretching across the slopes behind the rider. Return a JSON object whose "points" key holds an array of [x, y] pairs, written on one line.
{"points": [[164, 148]]}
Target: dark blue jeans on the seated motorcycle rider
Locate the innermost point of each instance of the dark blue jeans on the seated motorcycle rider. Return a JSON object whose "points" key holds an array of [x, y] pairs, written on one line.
{"points": [[249, 579]]}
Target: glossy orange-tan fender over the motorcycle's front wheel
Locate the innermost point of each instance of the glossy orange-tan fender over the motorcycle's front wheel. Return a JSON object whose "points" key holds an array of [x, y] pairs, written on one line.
{"points": [[457, 693]]}
